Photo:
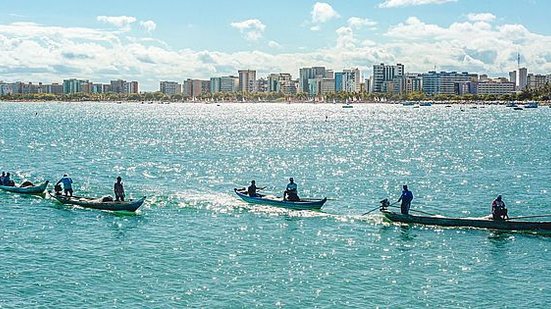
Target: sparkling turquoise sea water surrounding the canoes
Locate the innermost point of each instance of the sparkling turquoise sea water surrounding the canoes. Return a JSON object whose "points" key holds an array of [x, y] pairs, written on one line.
{"points": [[195, 244]]}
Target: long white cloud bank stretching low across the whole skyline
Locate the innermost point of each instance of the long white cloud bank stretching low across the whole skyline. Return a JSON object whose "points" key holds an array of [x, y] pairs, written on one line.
{"points": [[102, 55]]}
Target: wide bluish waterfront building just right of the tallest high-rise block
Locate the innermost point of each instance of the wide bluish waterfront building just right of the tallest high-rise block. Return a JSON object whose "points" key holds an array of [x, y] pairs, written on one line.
{"points": [[445, 82]]}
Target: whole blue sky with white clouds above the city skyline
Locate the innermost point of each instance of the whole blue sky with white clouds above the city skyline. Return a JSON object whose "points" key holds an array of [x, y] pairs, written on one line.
{"points": [[149, 41]]}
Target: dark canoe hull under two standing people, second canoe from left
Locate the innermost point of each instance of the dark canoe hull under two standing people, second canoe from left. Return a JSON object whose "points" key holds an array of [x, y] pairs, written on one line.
{"points": [[97, 203]]}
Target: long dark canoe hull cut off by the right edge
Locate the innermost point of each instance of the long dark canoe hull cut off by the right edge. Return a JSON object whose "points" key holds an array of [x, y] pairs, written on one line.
{"points": [[484, 222]]}
